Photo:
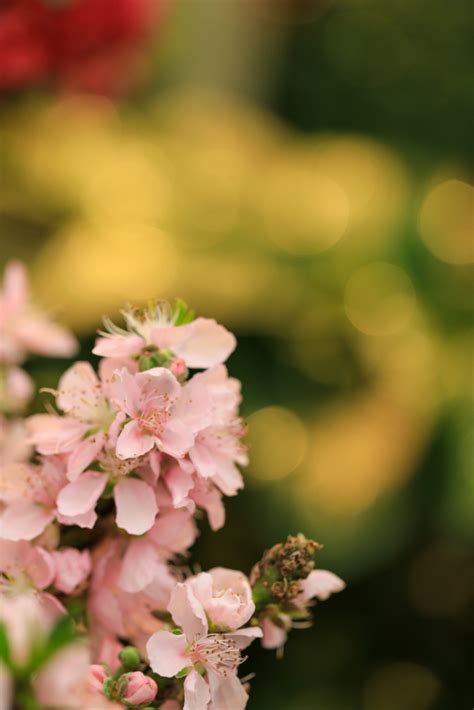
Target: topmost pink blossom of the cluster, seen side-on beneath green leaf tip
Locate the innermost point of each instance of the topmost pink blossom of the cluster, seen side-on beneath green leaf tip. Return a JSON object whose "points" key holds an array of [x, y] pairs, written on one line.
{"points": [[199, 344]]}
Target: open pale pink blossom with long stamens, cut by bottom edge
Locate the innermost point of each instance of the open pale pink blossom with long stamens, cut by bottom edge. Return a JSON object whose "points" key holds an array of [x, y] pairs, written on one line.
{"points": [[219, 654]]}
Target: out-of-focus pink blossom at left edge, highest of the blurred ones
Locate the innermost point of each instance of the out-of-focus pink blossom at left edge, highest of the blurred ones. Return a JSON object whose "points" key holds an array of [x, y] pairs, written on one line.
{"points": [[23, 327]]}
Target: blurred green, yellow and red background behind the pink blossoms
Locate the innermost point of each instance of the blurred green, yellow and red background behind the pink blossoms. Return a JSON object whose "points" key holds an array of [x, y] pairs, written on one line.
{"points": [[299, 170]]}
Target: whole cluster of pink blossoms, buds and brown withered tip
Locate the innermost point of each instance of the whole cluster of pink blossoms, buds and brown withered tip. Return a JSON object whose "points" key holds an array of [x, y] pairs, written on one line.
{"points": [[96, 526]]}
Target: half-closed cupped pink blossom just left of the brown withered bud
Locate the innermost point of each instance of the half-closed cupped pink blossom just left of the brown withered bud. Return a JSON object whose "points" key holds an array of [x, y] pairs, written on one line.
{"points": [[225, 595]]}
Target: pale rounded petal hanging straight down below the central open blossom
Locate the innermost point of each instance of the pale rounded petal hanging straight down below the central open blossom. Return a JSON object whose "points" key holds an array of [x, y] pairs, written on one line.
{"points": [[136, 506]]}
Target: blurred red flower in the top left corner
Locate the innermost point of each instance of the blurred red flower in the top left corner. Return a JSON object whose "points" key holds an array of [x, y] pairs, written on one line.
{"points": [[91, 45]]}
